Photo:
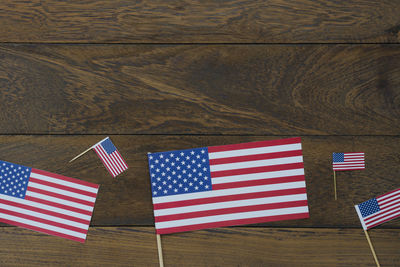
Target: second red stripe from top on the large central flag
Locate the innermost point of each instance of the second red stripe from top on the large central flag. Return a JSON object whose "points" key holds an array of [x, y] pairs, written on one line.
{"points": [[256, 157]]}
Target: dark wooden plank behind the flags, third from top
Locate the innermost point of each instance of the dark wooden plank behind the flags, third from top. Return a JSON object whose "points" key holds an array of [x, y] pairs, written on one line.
{"points": [[126, 200]]}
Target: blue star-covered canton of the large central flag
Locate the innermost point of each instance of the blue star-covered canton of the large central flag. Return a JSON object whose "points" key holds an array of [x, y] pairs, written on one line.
{"points": [[179, 172]]}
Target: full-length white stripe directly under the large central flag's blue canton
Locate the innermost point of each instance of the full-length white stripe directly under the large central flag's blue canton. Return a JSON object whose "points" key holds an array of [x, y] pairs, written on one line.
{"points": [[231, 191]]}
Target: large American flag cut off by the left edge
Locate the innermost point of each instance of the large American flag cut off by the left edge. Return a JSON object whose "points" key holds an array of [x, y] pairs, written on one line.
{"points": [[46, 202]]}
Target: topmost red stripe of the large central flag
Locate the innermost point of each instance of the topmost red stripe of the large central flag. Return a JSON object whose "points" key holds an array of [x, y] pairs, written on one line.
{"points": [[287, 141]]}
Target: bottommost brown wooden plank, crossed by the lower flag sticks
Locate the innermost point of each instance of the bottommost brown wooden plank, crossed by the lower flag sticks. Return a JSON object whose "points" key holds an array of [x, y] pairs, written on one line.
{"points": [[136, 246]]}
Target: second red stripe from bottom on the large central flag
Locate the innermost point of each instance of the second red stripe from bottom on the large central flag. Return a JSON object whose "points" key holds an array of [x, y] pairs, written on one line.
{"points": [[205, 213]]}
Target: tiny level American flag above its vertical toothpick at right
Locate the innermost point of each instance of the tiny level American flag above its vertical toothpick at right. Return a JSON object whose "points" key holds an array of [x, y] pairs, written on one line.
{"points": [[348, 161]]}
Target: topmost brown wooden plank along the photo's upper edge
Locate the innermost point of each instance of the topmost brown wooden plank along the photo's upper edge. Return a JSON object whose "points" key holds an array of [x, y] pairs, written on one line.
{"points": [[277, 21]]}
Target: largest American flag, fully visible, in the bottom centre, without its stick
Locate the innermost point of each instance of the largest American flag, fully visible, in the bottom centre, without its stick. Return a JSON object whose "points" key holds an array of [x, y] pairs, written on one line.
{"points": [[228, 185]]}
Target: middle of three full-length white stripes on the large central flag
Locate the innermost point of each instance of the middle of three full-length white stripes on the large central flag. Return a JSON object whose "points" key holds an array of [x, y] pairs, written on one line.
{"points": [[230, 204]]}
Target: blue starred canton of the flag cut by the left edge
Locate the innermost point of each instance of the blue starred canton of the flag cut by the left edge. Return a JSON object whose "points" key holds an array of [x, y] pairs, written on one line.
{"points": [[14, 179]]}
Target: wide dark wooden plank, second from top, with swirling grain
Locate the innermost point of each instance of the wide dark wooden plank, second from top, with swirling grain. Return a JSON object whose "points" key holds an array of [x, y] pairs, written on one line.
{"points": [[196, 89]]}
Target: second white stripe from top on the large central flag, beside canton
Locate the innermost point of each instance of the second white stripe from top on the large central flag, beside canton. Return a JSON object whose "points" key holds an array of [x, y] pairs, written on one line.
{"points": [[256, 163]]}
